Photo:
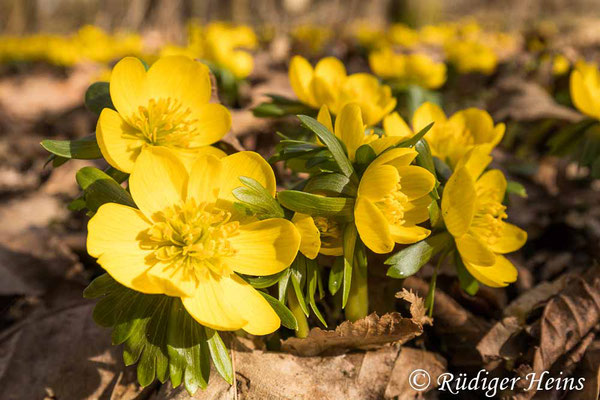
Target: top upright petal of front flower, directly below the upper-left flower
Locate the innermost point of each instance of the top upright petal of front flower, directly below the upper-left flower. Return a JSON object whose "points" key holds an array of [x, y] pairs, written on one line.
{"points": [[159, 180]]}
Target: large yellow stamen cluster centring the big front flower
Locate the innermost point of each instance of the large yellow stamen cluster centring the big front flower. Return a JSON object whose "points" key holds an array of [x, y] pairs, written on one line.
{"points": [[193, 236]]}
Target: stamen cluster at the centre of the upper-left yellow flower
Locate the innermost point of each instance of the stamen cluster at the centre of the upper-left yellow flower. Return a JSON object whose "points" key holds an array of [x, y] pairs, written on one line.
{"points": [[164, 122]]}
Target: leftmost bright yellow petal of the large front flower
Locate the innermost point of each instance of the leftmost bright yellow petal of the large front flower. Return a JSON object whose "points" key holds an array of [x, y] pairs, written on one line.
{"points": [[113, 238]]}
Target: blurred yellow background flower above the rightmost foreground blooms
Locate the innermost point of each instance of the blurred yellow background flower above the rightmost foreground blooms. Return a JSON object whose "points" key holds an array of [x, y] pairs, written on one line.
{"points": [[471, 56]]}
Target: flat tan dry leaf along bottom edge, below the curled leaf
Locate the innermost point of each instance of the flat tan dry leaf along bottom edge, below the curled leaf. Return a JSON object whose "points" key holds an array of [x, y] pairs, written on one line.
{"points": [[373, 375]]}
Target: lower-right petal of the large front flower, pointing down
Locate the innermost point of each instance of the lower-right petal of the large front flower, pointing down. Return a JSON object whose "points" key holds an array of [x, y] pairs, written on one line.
{"points": [[251, 305]]}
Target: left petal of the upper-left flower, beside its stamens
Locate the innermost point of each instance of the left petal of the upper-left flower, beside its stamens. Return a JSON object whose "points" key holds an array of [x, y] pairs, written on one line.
{"points": [[117, 140]]}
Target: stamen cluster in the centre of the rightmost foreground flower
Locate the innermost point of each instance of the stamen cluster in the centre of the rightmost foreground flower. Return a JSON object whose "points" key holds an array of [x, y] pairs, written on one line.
{"points": [[489, 214]]}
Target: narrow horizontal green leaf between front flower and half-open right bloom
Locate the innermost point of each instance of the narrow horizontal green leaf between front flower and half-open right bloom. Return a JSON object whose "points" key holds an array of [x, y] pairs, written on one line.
{"points": [[316, 205]]}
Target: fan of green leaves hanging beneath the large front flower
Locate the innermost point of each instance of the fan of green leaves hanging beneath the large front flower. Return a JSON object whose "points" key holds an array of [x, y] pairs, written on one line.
{"points": [[159, 335]]}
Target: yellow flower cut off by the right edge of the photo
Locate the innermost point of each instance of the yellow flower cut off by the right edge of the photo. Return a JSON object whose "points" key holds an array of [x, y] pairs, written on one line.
{"points": [[585, 89]]}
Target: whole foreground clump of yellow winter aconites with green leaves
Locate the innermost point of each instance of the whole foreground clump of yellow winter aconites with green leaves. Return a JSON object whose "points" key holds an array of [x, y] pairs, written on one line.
{"points": [[196, 241]]}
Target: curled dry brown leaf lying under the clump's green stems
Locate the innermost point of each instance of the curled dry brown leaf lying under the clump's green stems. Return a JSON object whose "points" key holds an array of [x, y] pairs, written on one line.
{"points": [[369, 332]]}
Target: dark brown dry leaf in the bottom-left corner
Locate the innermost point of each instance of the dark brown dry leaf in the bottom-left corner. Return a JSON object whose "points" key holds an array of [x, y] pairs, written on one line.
{"points": [[63, 351]]}
